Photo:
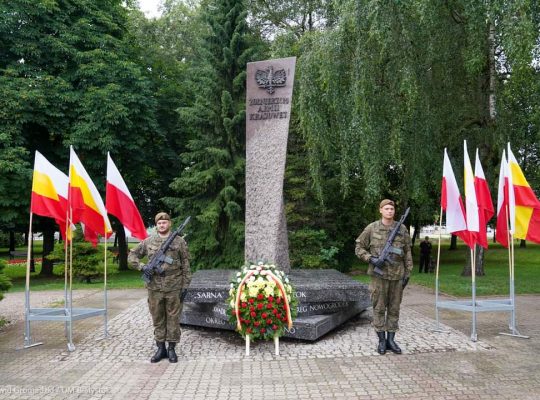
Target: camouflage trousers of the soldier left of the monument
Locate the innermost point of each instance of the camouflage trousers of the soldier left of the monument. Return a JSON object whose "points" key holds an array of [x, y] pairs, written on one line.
{"points": [[165, 308]]}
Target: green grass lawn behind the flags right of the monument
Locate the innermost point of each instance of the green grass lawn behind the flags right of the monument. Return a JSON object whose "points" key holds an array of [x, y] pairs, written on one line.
{"points": [[496, 278]]}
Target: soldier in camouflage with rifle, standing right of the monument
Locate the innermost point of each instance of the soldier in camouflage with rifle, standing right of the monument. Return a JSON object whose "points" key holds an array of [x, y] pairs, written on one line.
{"points": [[386, 289]]}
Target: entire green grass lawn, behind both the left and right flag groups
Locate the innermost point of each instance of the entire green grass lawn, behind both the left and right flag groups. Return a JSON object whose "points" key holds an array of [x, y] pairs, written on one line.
{"points": [[494, 282]]}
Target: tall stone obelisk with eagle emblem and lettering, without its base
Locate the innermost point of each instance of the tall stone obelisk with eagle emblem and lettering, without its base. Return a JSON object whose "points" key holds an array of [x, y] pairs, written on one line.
{"points": [[268, 110]]}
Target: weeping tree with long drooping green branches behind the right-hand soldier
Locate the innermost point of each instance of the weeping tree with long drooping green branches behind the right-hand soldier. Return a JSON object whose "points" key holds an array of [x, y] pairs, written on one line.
{"points": [[403, 80]]}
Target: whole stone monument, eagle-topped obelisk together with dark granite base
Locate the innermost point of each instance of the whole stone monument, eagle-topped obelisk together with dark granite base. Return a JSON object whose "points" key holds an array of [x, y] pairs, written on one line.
{"points": [[326, 298]]}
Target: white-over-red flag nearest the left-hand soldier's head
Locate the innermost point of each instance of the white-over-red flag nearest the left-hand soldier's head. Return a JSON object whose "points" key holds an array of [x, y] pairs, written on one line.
{"points": [[120, 203]]}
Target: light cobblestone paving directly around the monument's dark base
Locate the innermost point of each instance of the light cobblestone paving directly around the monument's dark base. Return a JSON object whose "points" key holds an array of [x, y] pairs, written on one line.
{"points": [[131, 341]]}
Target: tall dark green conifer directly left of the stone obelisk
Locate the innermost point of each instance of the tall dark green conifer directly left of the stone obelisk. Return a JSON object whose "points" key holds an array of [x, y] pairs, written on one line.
{"points": [[211, 185]]}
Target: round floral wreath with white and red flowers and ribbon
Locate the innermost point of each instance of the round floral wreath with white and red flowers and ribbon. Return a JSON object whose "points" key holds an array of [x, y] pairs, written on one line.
{"points": [[261, 303]]}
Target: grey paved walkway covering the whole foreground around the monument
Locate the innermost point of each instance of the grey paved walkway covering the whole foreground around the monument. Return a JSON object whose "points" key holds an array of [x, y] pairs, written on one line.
{"points": [[212, 365]]}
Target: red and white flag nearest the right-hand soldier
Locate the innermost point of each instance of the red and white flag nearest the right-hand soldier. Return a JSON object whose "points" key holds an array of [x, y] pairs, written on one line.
{"points": [[451, 203]]}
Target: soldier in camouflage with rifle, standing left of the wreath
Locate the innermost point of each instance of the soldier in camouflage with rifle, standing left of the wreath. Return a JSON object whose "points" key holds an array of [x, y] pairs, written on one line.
{"points": [[164, 292]]}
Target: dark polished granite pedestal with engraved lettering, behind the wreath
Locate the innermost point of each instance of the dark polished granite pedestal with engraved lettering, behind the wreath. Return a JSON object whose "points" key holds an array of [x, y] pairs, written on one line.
{"points": [[326, 299]]}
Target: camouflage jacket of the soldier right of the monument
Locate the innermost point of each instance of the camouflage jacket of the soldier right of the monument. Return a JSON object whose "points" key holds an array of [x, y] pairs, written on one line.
{"points": [[371, 242]]}
